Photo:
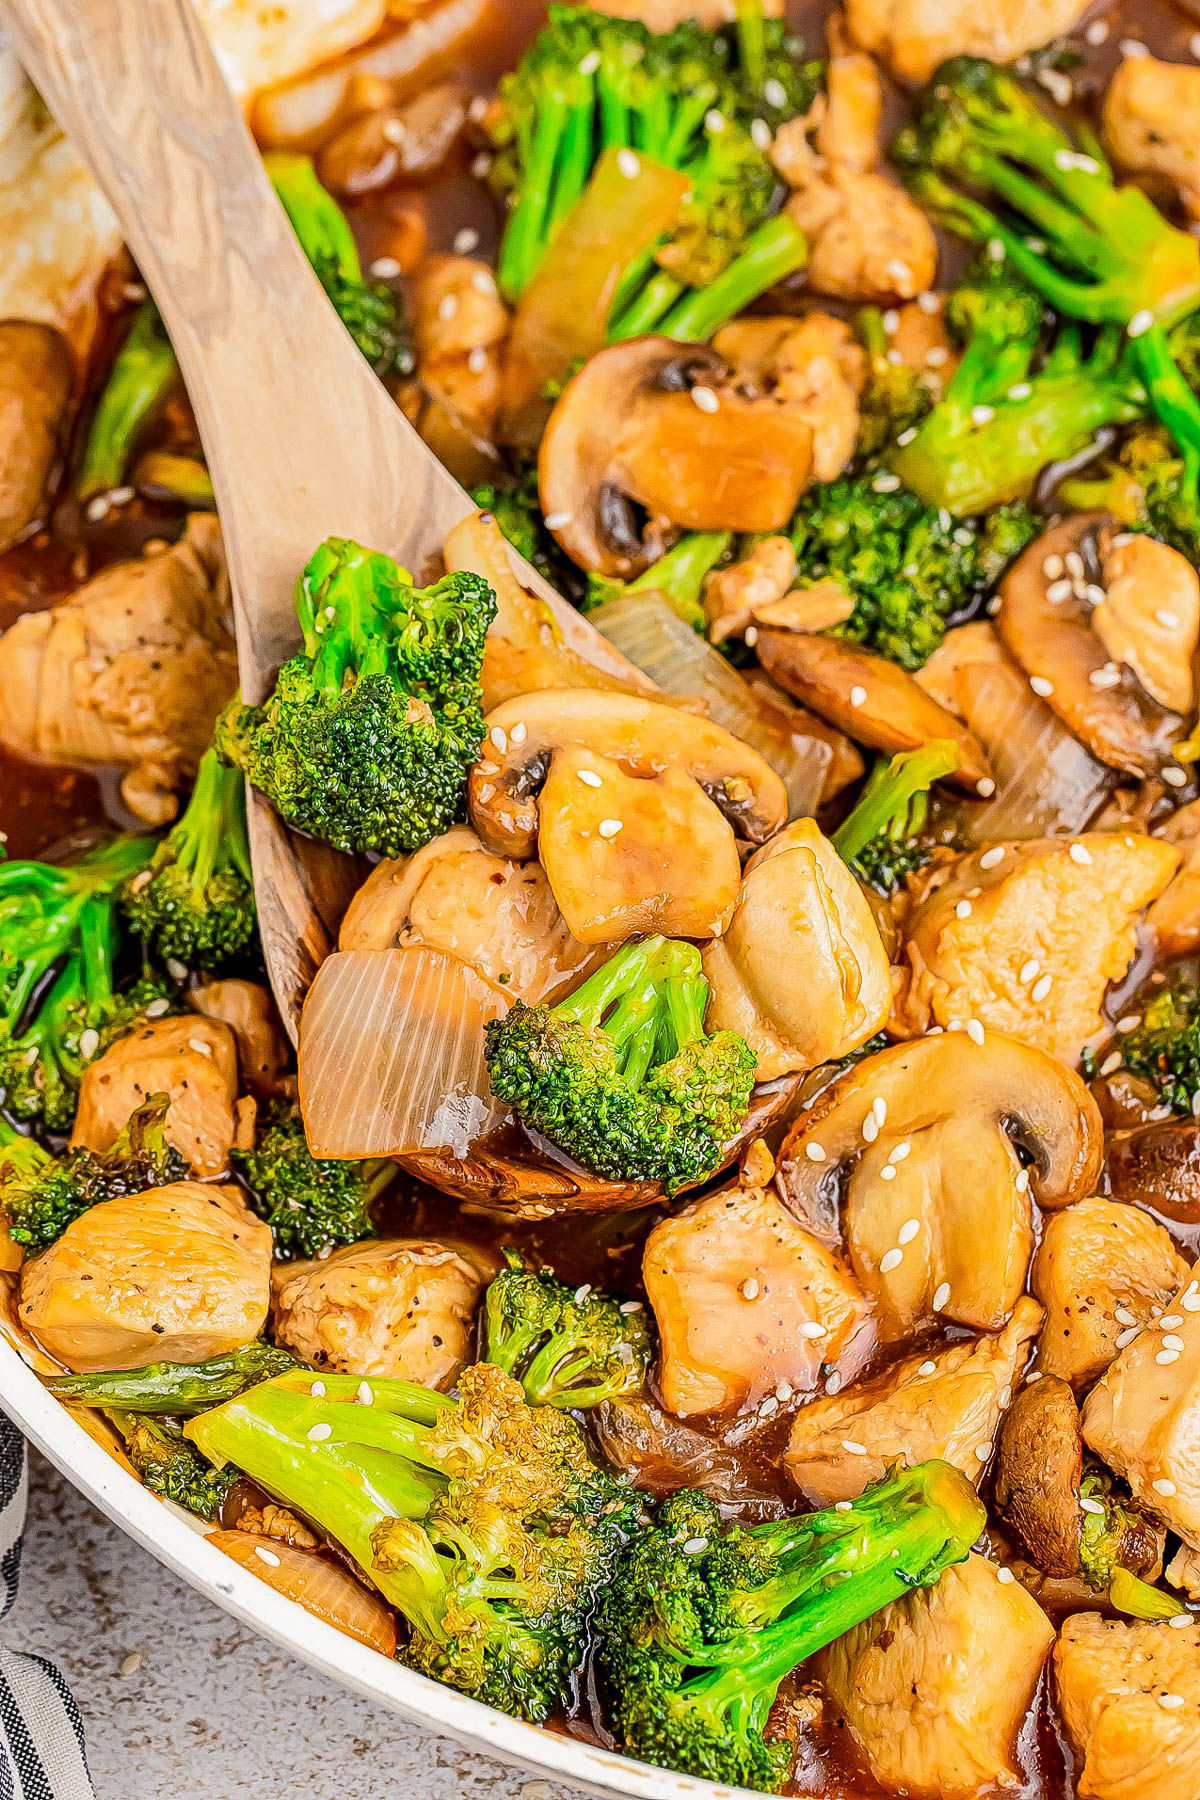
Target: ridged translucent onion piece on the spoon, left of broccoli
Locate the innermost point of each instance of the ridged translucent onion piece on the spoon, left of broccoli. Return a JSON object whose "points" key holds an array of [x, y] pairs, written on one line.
{"points": [[393, 1054]]}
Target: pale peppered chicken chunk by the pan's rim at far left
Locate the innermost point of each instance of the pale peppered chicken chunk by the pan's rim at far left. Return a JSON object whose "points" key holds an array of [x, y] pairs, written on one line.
{"points": [[174, 1275]]}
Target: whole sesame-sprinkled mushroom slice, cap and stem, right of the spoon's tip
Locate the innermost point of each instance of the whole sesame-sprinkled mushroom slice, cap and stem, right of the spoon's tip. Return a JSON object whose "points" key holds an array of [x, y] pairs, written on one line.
{"points": [[924, 1135]]}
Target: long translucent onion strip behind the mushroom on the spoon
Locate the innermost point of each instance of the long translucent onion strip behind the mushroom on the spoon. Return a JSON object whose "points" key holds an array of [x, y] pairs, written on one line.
{"points": [[649, 631]]}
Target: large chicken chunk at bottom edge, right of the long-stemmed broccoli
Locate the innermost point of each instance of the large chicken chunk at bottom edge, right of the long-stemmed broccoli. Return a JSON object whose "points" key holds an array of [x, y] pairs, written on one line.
{"points": [[936, 1687]]}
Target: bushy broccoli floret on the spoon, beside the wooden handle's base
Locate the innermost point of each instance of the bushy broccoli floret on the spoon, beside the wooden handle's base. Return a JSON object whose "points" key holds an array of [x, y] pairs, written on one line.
{"points": [[373, 728]]}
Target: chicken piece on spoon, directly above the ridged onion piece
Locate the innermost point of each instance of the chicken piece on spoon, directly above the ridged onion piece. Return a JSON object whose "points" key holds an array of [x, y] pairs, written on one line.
{"points": [[456, 897]]}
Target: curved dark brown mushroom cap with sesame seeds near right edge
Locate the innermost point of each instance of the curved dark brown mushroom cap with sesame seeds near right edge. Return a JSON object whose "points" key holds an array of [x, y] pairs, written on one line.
{"points": [[1048, 627]]}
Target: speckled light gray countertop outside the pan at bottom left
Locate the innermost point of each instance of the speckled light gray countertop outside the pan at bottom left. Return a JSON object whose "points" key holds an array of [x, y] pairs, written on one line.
{"points": [[181, 1700]]}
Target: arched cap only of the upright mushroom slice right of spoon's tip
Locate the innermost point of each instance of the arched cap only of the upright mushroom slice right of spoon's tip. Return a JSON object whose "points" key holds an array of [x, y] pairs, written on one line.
{"points": [[1030, 1097]]}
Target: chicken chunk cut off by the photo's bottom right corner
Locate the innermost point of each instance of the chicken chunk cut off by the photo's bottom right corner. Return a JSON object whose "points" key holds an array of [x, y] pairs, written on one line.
{"points": [[1131, 1702]]}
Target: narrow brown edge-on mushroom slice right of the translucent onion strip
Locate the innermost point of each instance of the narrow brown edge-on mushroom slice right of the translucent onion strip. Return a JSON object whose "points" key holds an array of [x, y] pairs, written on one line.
{"points": [[868, 697]]}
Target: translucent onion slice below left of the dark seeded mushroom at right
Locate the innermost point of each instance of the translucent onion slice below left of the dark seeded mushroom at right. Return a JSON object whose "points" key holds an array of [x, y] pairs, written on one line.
{"points": [[1046, 782]]}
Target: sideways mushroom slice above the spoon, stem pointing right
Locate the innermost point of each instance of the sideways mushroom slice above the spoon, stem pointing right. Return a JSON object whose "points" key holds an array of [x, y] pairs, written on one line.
{"points": [[631, 433]]}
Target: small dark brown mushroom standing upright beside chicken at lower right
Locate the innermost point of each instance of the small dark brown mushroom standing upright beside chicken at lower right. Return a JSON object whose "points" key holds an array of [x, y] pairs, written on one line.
{"points": [[1039, 1473]]}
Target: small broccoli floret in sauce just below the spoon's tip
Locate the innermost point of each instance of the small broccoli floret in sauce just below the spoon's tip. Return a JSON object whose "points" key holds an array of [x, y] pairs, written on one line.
{"points": [[568, 1347]]}
